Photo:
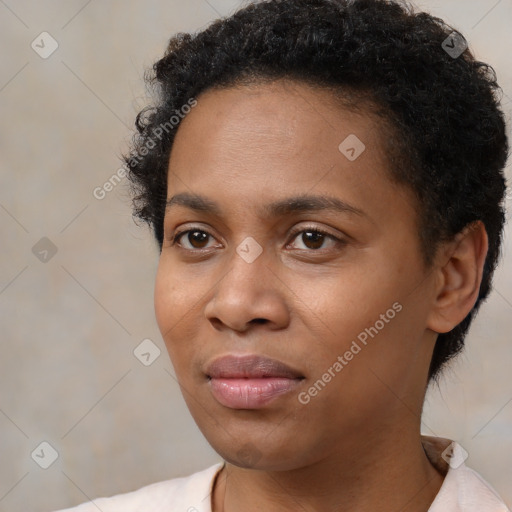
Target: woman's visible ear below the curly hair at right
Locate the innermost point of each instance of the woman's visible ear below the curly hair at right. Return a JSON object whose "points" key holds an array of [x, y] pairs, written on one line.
{"points": [[459, 276]]}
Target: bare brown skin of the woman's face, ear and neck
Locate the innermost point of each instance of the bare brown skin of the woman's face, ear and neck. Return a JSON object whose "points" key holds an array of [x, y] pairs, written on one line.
{"points": [[356, 445]]}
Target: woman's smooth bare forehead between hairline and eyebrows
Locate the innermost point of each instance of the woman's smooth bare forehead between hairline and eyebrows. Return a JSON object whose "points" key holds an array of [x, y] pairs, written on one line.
{"points": [[271, 140]]}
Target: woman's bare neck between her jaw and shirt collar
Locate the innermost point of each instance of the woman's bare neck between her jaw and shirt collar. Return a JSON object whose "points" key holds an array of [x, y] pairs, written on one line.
{"points": [[389, 473]]}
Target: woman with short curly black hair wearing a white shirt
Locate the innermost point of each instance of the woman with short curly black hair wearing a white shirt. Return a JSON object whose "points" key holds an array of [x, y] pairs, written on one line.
{"points": [[324, 179]]}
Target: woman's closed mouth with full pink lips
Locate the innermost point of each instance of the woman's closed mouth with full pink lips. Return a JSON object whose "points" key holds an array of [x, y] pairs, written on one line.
{"points": [[250, 381]]}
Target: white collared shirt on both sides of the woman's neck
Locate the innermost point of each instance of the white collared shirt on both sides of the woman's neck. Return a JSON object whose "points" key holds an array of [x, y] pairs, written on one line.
{"points": [[463, 489]]}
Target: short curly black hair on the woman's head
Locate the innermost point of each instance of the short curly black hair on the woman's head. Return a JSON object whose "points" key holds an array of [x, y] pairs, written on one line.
{"points": [[447, 139]]}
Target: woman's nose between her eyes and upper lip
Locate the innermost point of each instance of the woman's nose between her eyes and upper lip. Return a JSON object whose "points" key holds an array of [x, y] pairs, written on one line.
{"points": [[248, 294]]}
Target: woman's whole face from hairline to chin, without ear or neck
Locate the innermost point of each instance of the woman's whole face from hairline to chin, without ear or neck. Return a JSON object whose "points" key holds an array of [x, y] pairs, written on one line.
{"points": [[291, 292]]}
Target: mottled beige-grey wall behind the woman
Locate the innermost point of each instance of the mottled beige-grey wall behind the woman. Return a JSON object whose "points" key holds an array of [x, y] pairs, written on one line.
{"points": [[68, 375]]}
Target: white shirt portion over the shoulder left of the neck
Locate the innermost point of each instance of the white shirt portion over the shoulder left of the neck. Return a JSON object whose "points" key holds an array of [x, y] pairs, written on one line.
{"points": [[186, 494]]}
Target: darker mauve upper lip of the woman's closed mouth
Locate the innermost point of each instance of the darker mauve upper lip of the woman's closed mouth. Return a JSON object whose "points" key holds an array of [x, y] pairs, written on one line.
{"points": [[249, 366]]}
